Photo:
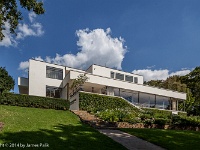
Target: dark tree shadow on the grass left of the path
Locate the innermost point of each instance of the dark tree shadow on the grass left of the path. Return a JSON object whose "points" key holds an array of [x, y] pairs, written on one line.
{"points": [[61, 137]]}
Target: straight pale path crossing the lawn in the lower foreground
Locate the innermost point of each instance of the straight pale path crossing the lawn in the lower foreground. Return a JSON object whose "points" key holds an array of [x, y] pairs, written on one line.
{"points": [[129, 141]]}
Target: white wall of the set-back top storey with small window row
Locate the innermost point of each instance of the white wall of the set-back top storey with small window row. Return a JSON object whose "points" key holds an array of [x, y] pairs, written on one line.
{"points": [[105, 72]]}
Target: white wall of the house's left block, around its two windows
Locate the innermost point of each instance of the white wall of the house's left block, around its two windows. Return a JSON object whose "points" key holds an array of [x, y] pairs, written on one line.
{"points": [[38, 80]]}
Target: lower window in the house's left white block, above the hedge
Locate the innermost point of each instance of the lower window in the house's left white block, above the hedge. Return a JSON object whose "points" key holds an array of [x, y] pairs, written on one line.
{"points": [[52, 91]]}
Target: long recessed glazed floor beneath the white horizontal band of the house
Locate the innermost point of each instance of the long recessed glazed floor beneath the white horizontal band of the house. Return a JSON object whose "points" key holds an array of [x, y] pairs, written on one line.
{"points": [[136, 97]]}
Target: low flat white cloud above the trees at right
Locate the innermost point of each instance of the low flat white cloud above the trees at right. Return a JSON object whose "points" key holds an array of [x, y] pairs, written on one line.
{"points": [[161, 74]]}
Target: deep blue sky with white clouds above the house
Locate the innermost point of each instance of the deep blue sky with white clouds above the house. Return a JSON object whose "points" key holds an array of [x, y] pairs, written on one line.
{"points": [[155, 38]]}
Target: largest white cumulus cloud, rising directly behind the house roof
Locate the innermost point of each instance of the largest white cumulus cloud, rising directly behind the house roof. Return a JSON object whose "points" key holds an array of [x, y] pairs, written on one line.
{"points": [[96, 47]]}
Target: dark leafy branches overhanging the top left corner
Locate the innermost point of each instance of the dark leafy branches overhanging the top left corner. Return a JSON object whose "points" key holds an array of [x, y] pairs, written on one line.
{"points": [[9, 13]]}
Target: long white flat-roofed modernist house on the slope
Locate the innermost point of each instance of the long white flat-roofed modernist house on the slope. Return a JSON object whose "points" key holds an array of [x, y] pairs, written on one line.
{"points": [[51, 80]]}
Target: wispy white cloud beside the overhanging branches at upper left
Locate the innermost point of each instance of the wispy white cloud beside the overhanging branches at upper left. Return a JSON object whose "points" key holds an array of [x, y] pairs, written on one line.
{"points": [[23, 30]]}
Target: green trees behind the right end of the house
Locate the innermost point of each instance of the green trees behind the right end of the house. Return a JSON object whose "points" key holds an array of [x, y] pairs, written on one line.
{"points": [[189, 84]]}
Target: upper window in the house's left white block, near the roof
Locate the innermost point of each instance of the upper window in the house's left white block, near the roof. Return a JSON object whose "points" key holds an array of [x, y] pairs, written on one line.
{"points": [[54, 73]]}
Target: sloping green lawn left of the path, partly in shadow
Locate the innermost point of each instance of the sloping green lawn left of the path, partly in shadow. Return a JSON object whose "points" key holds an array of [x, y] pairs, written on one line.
{"points": [[58, 129]]}
